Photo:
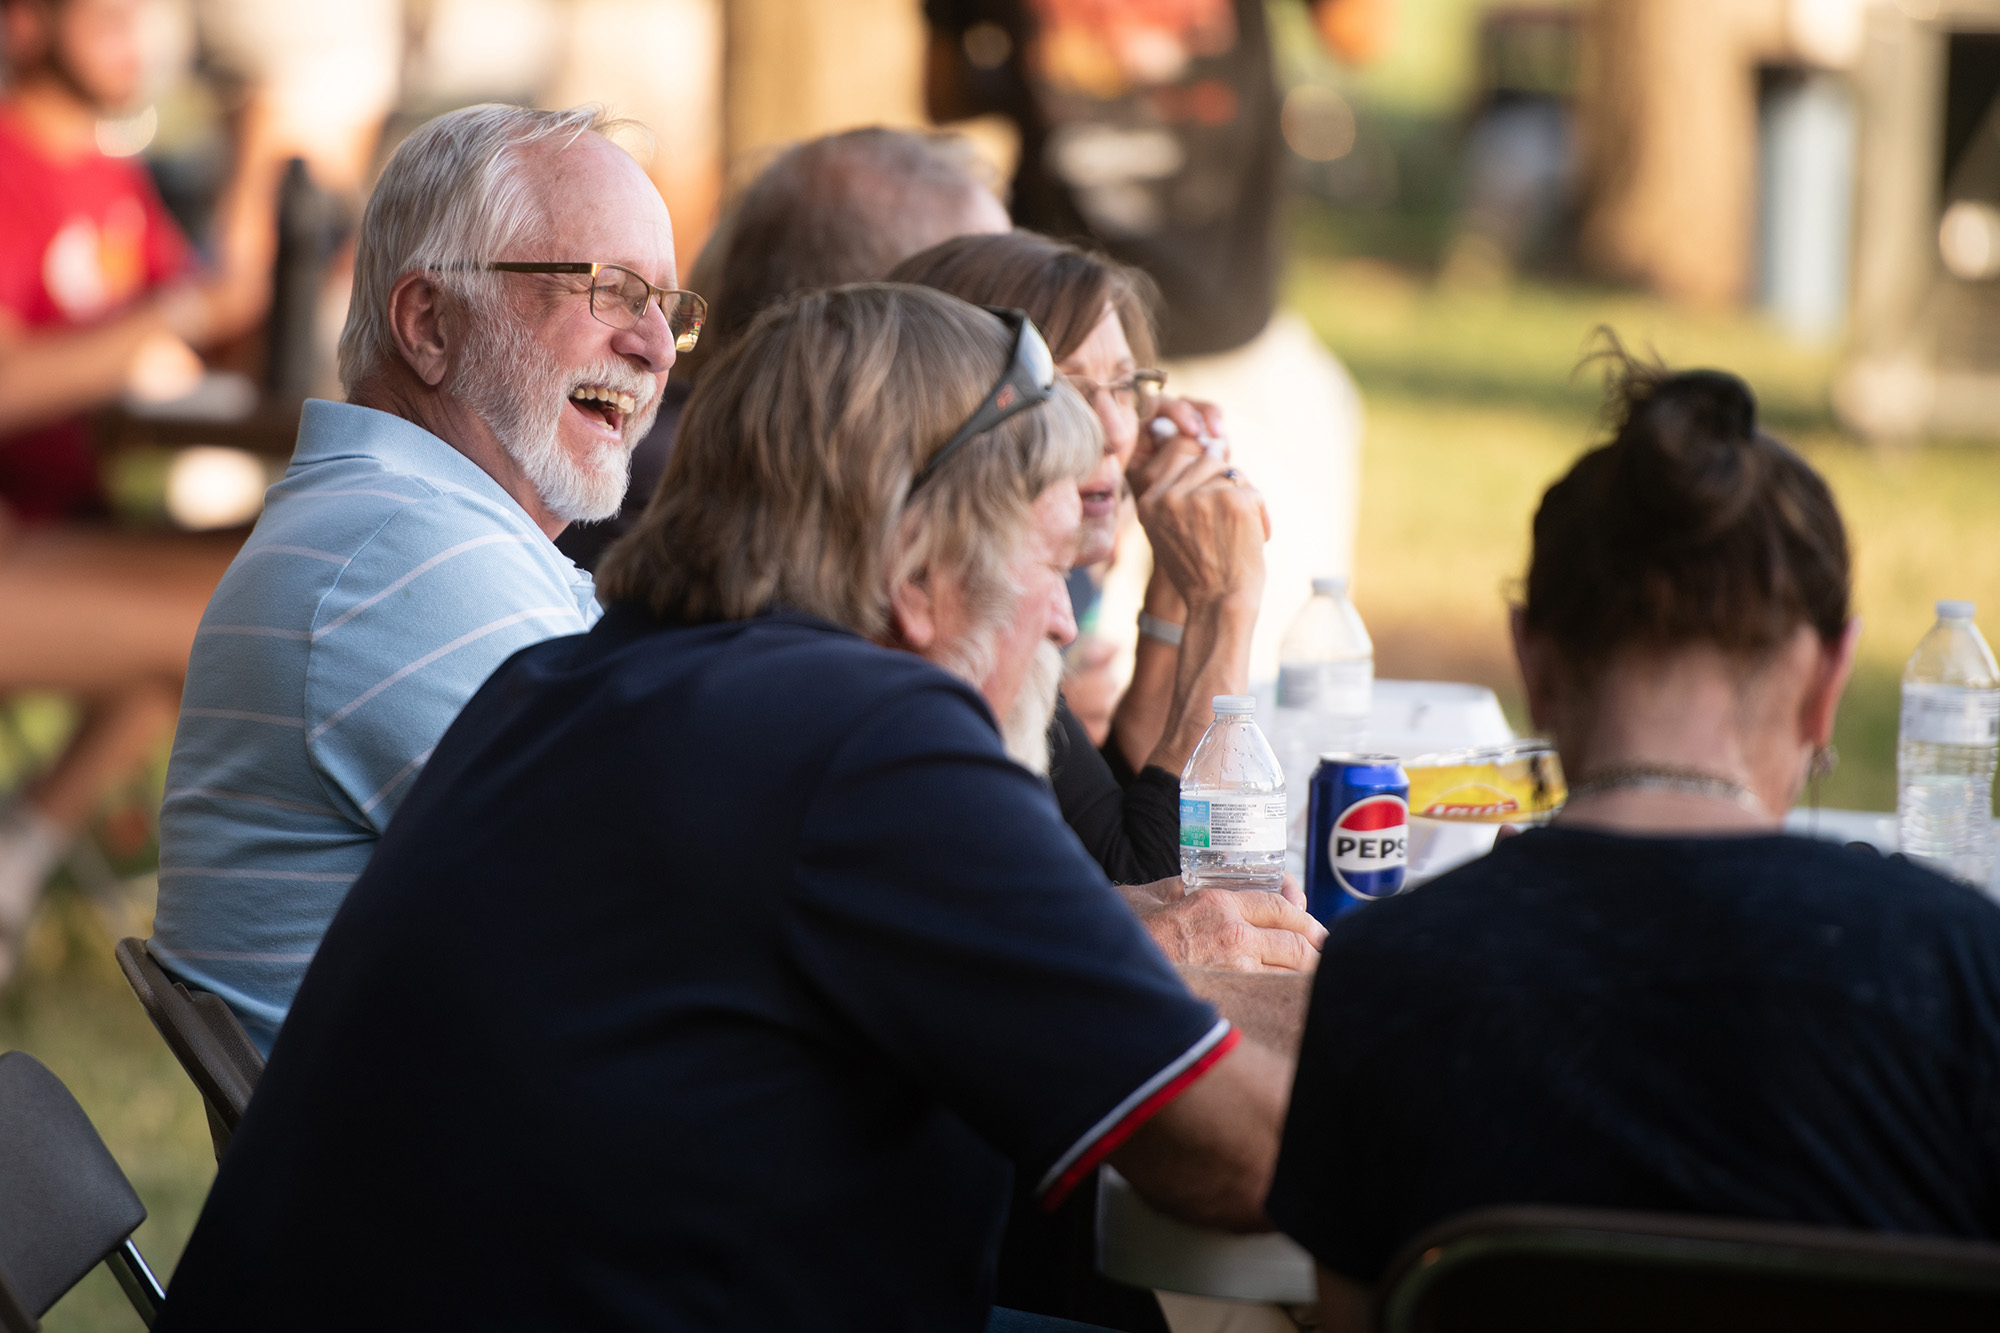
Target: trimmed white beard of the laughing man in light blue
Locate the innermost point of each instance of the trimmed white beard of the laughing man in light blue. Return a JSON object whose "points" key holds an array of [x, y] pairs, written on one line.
{"points": [[521, 397]]}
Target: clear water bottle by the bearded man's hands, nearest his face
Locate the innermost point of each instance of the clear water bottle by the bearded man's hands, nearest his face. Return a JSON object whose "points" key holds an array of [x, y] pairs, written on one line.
{"points": [[1233, 806]]}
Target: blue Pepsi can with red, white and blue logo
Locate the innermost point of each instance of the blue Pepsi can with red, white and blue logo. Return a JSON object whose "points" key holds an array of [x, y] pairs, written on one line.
{"points": [[1359, 812]]}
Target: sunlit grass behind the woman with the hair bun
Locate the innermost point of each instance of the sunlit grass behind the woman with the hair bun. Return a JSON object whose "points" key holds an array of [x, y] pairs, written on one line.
{"points": [[1475, 405]]}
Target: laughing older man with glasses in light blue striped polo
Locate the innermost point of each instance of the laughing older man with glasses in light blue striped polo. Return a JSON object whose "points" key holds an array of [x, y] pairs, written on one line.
{"points": [[513, 323]]}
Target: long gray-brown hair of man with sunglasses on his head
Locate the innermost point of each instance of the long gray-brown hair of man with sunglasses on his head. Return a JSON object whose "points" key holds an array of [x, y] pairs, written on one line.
{"points": [[791, 475]]}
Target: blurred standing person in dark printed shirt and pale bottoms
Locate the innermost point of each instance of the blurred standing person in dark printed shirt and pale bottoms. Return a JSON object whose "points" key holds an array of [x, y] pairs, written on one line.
{"points": [[1151, 129]]}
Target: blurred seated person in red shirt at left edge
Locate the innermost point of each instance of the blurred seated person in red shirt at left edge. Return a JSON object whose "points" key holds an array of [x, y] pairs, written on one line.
{"points": [[99, 299]]}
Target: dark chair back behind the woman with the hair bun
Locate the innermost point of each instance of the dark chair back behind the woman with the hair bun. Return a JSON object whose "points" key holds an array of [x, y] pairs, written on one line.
{"points": [[1597, 1272]]}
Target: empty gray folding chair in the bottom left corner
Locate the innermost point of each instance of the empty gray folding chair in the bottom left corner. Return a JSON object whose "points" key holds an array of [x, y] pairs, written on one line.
{"points": [[65, 1206]]}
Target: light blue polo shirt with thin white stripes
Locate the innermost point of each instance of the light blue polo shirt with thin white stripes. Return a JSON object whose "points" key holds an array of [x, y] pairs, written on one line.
{"points": [[385, 581]]}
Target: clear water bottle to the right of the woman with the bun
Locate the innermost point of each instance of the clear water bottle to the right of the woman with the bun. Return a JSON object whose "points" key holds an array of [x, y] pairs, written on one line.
{"points": [[1947, 746]]}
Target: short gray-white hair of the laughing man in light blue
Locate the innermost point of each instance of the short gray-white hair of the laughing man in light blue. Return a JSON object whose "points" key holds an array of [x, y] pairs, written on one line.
{"points": [[453, 195]]}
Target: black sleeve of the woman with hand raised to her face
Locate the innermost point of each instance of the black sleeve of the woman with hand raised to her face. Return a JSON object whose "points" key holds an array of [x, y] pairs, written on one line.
{"points": [[1133, 832]]}
